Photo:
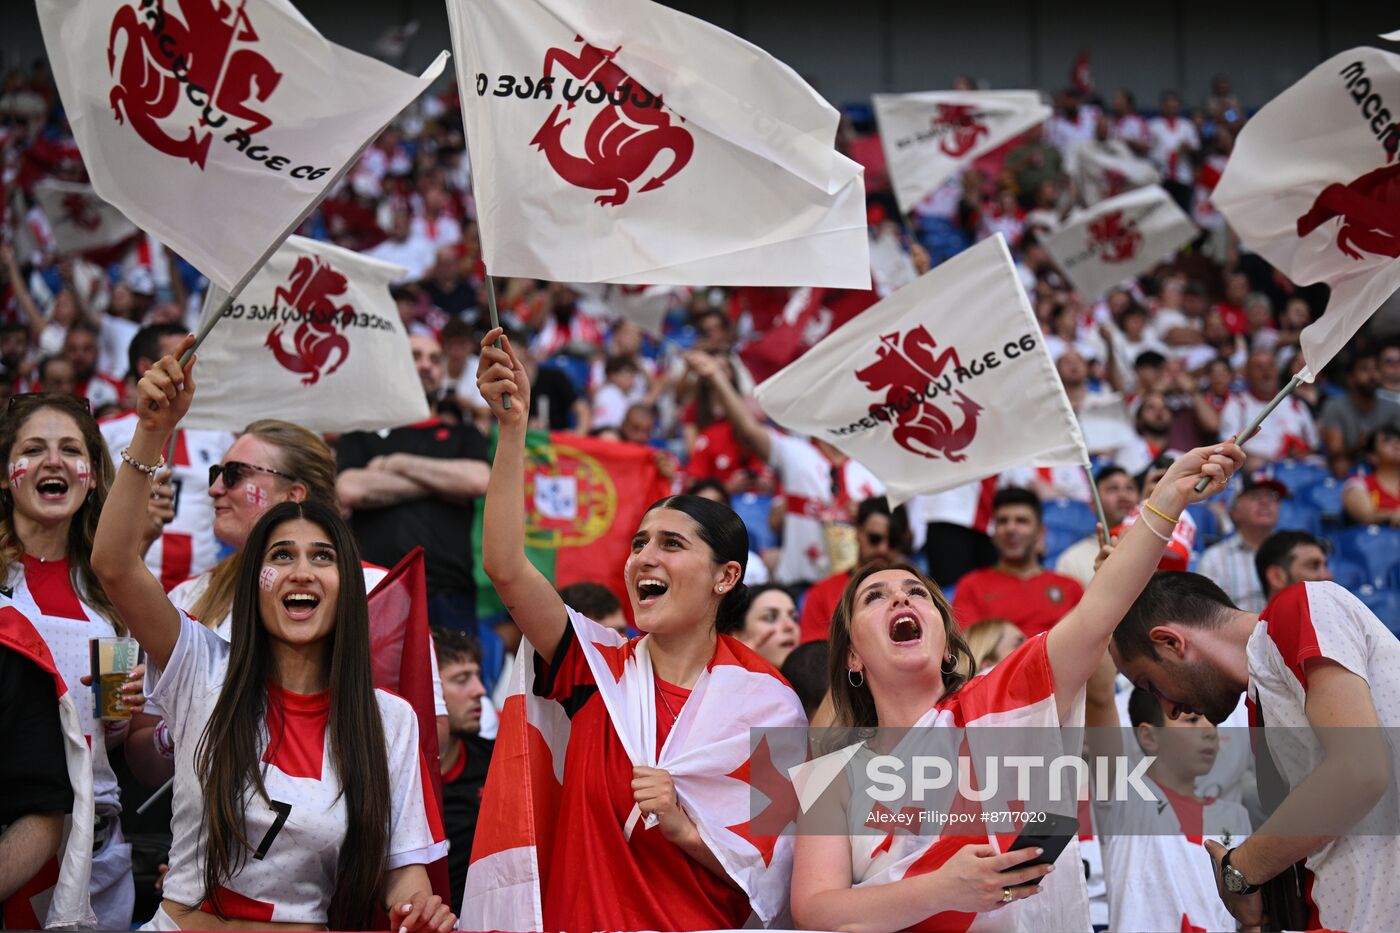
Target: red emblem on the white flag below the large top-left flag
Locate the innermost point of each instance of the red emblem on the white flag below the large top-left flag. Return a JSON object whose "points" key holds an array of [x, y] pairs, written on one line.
{"points": [[310, 291]]}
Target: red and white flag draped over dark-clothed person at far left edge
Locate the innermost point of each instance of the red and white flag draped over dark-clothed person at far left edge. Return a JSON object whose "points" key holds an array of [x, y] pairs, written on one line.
{"points": [[57, 899]]}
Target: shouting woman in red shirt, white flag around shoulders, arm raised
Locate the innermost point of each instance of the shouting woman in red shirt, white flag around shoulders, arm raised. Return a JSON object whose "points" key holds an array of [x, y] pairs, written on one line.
{"points": [[656, 817]]}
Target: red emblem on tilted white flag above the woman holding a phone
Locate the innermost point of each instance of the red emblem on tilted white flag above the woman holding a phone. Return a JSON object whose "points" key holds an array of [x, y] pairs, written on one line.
{"points": [[904, 369]]}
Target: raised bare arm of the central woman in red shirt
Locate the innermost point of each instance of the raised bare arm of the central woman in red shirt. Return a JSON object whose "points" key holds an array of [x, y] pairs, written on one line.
{"points": [[527, 595]]}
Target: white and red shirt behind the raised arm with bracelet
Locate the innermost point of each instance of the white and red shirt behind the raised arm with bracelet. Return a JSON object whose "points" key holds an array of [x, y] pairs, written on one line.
{"points": [[188, 546]]}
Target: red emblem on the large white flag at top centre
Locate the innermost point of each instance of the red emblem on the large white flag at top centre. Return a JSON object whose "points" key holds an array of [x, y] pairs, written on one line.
{"points": [[622, 141]]}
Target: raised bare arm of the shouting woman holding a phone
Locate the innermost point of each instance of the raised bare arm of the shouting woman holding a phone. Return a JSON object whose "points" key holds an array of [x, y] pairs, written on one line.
{"points": [[1079, 642]]}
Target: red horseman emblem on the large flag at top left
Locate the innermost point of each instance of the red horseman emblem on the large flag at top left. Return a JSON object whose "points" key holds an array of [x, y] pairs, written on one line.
{"points": [[163, 55]]}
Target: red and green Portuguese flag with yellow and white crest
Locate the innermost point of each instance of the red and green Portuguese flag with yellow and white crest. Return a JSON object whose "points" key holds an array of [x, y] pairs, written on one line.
{"points": [[584, 499]]}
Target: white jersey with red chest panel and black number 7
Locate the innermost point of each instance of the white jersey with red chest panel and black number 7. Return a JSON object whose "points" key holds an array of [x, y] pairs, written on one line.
{"points": [[290, 875]]}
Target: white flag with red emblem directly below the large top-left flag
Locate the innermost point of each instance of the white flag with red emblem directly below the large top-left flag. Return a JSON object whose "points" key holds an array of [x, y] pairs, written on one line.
{"points": [[316, 340]]}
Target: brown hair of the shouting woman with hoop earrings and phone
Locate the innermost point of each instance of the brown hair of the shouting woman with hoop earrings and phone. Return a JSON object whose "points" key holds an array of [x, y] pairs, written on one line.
{"points": [[855, 707]]}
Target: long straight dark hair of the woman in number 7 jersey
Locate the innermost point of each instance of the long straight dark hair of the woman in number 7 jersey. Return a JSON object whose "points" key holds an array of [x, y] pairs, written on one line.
{"points": [[229, 753]]}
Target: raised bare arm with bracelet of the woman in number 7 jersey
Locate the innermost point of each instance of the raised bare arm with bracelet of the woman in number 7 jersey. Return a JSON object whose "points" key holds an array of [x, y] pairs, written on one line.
{"points": [[117, 548]]}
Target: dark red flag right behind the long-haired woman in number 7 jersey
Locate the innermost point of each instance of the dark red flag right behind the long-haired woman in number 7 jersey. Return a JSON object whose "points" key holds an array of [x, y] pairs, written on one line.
{"points": [[401, 654]]}
